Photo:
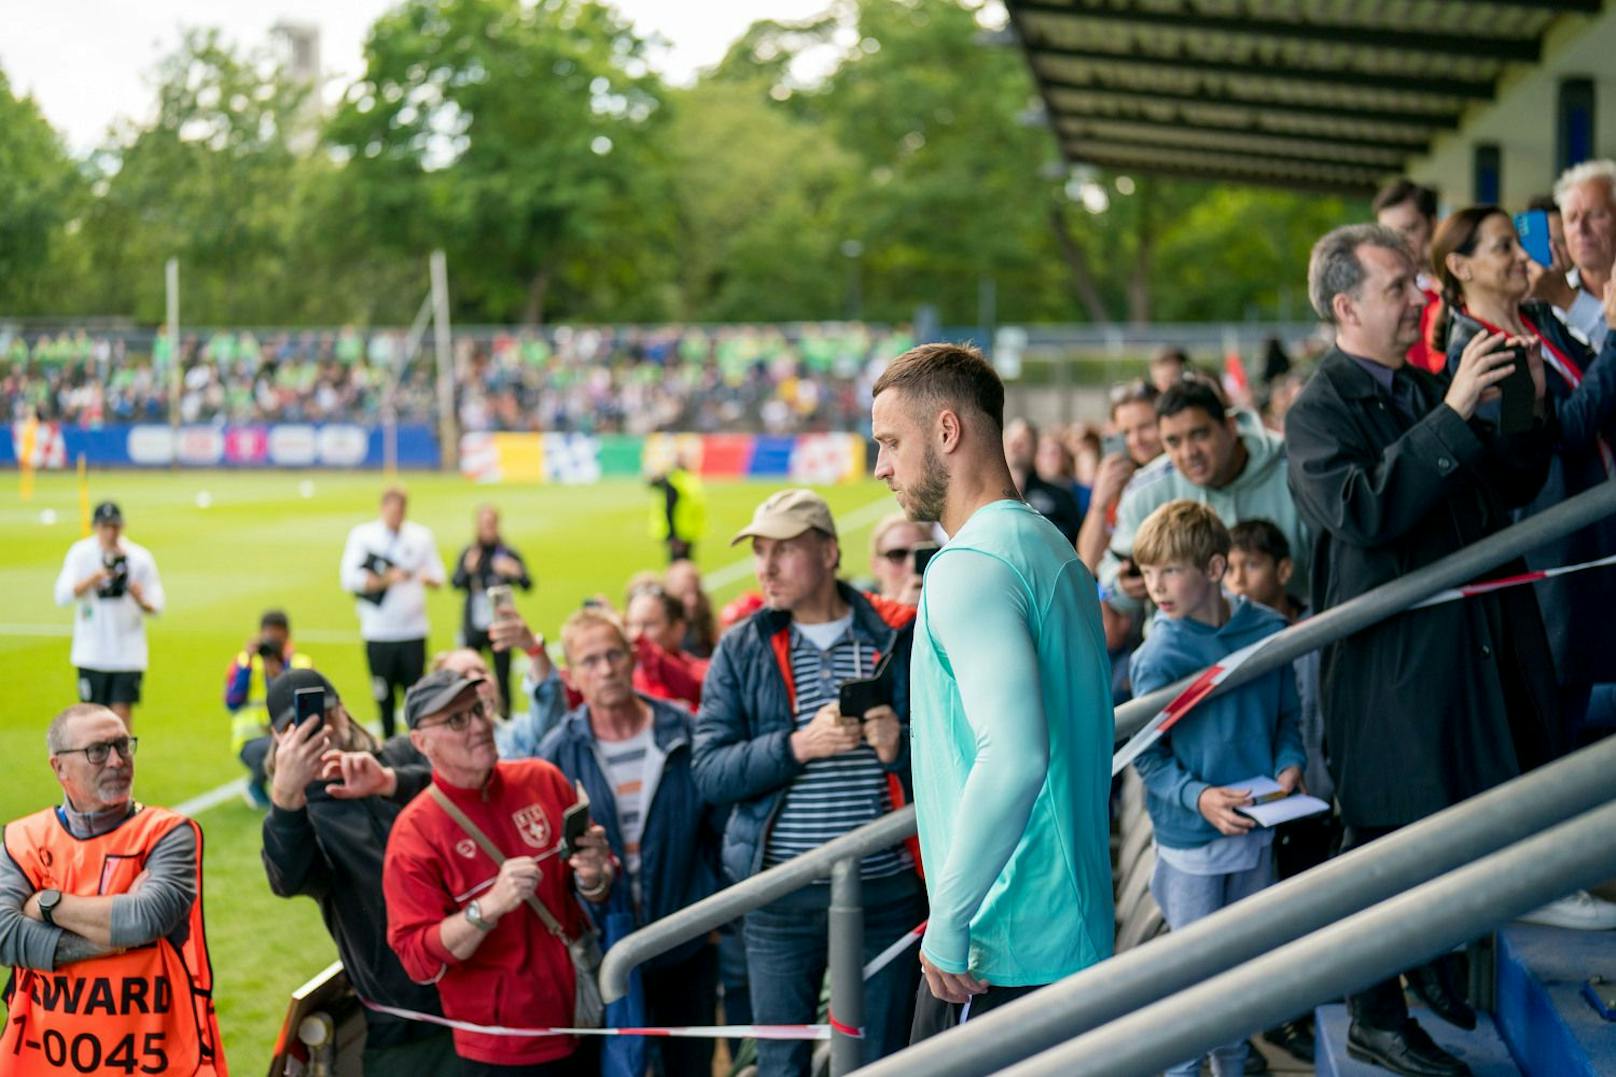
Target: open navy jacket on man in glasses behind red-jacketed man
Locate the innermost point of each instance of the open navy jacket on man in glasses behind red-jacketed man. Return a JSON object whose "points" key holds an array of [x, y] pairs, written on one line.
{"points": [[681, 837]]}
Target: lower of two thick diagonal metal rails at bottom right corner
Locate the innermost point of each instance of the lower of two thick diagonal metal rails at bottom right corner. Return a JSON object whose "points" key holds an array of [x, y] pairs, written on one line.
{"points": [[1347, 957]]}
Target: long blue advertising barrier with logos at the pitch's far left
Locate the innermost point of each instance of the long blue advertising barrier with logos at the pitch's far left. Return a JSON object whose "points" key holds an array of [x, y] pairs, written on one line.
{"points": [[53, 446]]}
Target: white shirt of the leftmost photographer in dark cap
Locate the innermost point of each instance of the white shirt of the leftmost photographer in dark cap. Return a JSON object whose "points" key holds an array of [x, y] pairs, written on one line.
{"points": [[109, 635]]}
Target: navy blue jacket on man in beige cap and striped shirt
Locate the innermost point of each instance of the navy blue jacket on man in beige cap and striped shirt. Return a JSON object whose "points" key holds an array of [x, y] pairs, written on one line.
{"points": [[749, 714]]}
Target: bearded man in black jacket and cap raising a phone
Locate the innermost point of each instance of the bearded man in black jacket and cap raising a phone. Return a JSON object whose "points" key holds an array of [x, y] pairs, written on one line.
{"points": [[334, 798]]}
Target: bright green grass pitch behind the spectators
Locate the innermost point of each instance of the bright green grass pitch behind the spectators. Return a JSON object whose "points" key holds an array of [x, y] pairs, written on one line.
{"points": [[274, 539]]}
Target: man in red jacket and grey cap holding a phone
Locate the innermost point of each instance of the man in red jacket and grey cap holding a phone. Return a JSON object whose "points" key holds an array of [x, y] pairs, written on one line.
{"points": [[460, 919]]}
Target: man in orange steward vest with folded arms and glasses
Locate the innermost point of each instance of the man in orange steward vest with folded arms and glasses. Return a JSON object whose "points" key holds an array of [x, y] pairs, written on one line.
{"points": [[101, 921]]}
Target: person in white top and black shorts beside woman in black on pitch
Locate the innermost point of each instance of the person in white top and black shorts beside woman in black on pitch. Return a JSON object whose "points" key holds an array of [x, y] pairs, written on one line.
{"points": [[387, 565]]}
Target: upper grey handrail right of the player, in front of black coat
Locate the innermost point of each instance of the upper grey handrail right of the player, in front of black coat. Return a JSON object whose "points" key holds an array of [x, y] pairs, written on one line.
{"points": [[1392, 599]]}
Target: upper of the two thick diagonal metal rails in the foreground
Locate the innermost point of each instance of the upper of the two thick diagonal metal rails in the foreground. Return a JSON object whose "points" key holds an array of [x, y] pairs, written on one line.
{"points": [[1263, 923]]}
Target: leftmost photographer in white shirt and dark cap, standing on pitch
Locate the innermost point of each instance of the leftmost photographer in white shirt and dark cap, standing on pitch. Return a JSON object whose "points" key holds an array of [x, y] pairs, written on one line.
{"points": [[116, 588]]}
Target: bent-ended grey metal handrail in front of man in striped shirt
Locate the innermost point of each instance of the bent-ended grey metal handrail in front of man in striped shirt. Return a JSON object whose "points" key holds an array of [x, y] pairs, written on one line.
{"points": [[747, 895]]}
